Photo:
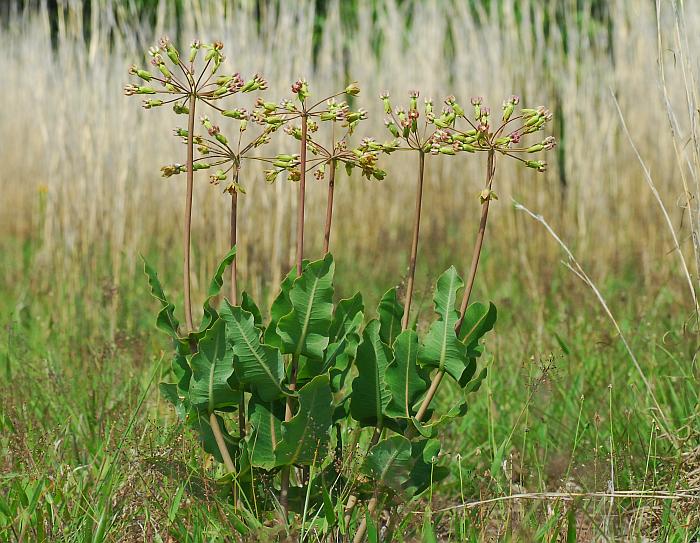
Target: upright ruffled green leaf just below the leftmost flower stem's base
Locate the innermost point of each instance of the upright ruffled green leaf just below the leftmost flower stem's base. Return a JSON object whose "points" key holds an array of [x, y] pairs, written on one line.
{"points": [[212, 367]]}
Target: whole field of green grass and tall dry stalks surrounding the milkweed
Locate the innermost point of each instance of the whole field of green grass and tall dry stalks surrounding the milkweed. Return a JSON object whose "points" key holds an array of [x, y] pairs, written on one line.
{"points": [[88, 450]]}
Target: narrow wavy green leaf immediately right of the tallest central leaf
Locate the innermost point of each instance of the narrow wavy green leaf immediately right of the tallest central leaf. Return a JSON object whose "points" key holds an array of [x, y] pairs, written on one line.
{"points": [[345, 337]]}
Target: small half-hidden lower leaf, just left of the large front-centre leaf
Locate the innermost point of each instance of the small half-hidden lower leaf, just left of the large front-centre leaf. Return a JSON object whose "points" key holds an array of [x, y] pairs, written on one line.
{"points": [[266, 424]]}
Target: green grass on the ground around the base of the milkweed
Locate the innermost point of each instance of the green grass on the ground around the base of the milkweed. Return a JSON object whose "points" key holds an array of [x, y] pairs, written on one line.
{"points": [[90, 452]]}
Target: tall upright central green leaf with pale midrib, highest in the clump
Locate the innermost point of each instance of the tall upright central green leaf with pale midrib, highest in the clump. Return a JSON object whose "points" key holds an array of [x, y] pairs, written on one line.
{"points": [[304, 330]]}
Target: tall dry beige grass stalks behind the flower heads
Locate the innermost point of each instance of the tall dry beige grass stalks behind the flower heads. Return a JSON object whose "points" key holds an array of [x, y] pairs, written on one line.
{"points": [[67, 130]]}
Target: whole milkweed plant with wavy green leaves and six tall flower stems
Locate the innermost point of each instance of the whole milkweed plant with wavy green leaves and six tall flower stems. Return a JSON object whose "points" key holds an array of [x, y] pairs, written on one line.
{"points": [[320, 412]]}
